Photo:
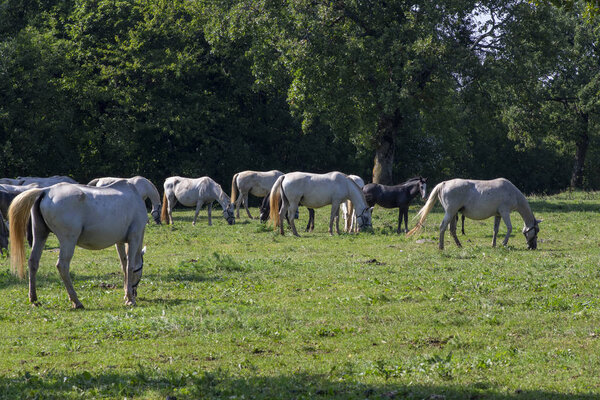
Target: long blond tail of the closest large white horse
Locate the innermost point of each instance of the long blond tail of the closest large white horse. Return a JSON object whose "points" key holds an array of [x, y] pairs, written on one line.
{"points": [[18, 217]]}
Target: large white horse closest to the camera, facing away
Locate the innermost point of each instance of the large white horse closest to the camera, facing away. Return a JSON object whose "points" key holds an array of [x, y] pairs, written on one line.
{"points": [[84, 216]]}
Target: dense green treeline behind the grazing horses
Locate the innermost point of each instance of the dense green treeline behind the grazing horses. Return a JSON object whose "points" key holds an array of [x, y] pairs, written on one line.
{"points": [[386, 90]]}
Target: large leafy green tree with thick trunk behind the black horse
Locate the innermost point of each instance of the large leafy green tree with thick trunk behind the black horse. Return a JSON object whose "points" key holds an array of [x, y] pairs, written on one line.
{"points": [[365, 68]]}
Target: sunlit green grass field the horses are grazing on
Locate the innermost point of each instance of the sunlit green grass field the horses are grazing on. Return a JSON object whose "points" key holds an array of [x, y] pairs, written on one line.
{"points": [[238, 312]]}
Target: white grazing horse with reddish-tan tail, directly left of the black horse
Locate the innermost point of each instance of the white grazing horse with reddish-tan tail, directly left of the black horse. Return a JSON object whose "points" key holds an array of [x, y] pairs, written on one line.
{"points": [[314, 191]]}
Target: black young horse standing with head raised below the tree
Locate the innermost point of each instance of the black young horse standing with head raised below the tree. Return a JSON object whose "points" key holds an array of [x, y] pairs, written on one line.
{"points": [[396, 196]]}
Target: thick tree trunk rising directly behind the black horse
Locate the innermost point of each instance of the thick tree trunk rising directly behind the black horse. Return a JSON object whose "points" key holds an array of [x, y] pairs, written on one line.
{"points": [[387, 130]]}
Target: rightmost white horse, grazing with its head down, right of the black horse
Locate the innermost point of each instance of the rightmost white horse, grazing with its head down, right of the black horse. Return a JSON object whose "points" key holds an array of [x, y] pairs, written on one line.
{"points": [[480, 200]]}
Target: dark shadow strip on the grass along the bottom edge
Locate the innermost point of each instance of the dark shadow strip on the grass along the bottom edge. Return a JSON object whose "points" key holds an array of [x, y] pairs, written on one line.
{"points": [[159, 383]]}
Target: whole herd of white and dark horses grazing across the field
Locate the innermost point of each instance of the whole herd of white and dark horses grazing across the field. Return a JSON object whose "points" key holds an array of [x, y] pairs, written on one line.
{"points": [[110, 211]]}
